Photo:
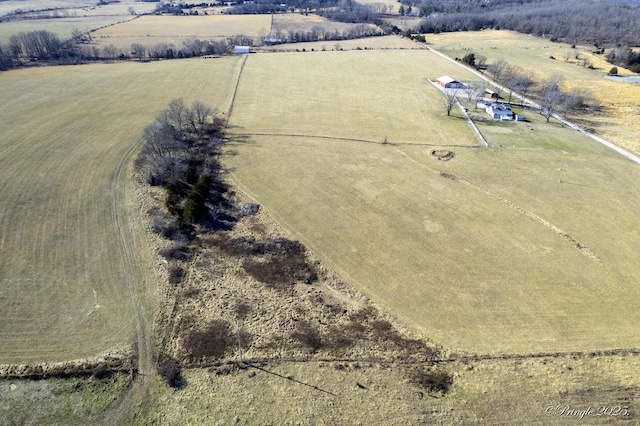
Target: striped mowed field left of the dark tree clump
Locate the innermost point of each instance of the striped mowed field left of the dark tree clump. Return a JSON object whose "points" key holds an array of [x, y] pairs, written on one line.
{"points": [[72, 248]]}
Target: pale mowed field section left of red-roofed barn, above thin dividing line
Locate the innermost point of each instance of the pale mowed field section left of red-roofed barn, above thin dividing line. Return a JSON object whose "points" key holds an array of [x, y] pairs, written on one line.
{"points": [[337, 102]]}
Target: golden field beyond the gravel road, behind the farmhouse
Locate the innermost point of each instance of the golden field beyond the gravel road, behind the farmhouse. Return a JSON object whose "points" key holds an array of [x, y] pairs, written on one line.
{"points": [[617, 122]]}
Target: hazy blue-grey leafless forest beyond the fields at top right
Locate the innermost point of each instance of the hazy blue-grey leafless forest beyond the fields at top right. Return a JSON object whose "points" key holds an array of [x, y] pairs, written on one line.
{"points": [[603, 23]]}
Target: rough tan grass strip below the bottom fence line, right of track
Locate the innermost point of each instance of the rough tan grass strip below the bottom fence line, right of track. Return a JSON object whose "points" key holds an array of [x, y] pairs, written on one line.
{"points": [[497, 392]]}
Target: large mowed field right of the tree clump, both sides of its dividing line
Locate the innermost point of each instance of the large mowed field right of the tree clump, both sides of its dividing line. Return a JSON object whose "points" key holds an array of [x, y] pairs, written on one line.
{"points": [[501, 250]]}
